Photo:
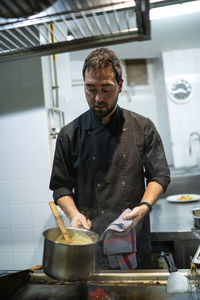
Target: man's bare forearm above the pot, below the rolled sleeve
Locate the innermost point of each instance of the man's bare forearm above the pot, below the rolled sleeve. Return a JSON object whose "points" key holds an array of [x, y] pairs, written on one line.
{"points": [[67, 204]]}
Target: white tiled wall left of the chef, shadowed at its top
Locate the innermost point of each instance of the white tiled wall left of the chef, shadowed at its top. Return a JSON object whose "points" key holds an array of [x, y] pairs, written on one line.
{"points": [[25, 165]]}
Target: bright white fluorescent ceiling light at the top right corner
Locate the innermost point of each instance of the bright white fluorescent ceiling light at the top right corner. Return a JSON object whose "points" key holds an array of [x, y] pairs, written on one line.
{"points": [[174, 10]]}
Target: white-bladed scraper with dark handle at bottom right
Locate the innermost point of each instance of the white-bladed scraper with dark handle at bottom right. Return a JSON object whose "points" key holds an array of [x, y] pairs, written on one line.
{"points": [[177, 282]]}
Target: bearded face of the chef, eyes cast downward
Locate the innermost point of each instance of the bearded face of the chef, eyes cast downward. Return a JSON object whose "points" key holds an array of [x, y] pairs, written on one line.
{"points": [[101, 91]]}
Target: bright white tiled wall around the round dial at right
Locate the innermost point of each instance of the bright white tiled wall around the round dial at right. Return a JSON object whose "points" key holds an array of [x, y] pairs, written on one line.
{"points": [[184, 118]]}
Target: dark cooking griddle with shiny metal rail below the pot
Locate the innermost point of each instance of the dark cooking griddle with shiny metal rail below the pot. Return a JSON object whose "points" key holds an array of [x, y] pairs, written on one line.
{"points": [[148, 284]]}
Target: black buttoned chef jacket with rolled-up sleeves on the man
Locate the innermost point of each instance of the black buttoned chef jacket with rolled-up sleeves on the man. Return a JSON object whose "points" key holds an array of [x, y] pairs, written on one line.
{"points": [[105, 167]]}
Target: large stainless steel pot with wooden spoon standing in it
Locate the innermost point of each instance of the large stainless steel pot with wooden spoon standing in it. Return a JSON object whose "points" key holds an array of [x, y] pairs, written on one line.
{"points": [[69, 262]]}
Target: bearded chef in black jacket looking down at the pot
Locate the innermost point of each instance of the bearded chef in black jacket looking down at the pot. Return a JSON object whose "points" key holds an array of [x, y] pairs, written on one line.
{"points": [[109, 159]]}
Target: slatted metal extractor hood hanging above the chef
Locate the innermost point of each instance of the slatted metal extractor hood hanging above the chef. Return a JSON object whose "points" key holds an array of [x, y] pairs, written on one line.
{"points": [[28, 29]]}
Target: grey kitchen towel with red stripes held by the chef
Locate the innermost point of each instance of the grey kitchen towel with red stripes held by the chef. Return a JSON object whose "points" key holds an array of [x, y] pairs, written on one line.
{"points": [[120, 248]]}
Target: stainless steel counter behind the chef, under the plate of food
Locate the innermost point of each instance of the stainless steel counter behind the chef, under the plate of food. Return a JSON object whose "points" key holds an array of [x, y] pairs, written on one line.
{"points": [[171, 225]]}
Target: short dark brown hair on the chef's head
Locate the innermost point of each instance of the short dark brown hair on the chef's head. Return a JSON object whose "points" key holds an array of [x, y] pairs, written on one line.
{"points": [[103, 58]]}
